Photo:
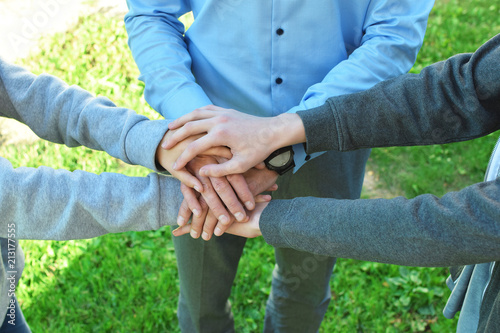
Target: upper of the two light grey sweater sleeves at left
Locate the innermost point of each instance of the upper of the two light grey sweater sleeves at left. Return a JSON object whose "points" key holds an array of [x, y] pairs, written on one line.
{"points": [[72, 116]]}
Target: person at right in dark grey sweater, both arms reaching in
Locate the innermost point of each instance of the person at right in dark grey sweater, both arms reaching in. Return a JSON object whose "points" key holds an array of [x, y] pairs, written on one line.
{"points": [[449, 101]]}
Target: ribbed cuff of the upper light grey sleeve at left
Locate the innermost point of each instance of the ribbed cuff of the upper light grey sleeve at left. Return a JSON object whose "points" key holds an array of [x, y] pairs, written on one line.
{"points": [[143, 140]]}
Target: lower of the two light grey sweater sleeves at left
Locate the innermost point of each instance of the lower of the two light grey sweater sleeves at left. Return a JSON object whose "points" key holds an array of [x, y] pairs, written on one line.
{"points": [[50, 204]]}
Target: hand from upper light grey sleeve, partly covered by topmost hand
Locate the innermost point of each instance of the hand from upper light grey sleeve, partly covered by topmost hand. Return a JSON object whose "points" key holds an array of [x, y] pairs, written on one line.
{"points": [[166, 158]]}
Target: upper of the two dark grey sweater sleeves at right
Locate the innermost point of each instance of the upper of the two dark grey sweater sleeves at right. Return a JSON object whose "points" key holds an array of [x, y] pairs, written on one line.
{"points": [[450, 101]]}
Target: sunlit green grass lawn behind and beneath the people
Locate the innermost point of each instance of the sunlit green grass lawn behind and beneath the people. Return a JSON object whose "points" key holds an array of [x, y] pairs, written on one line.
{"points": [[128, 282]]}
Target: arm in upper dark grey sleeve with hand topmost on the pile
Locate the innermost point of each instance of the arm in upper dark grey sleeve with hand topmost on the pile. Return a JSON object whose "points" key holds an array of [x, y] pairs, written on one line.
{"points": [[454, 100]]}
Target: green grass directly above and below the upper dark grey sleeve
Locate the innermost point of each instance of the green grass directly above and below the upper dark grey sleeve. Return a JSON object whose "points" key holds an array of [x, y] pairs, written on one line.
{"points": [[454, 27]]}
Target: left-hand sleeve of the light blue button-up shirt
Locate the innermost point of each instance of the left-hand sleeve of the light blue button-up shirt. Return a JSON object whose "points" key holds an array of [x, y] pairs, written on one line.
{"points": [[156, 39]]}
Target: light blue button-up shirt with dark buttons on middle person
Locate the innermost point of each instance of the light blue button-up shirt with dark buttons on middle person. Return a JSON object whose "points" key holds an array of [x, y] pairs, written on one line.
{"points": [[266, 57]]}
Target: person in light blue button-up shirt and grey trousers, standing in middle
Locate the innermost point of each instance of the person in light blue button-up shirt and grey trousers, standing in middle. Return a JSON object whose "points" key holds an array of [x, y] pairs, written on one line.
{"points": [[266, 58]]}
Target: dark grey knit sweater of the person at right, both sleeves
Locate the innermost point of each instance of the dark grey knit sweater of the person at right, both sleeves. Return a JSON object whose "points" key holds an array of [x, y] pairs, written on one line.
{"points": [[454, 100]]}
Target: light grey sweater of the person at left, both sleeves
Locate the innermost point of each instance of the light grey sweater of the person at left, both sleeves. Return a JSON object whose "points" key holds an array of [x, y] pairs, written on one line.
{"points": [[56, 204]]}
